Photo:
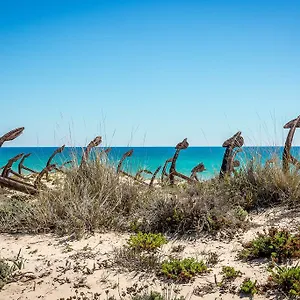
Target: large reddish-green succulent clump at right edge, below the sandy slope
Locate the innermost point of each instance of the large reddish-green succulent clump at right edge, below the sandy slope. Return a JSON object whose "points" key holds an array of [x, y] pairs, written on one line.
{"points": [[276, 243]]}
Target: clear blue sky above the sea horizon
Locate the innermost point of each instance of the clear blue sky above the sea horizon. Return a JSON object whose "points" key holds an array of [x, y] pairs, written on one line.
{"points": [[149, 72]]}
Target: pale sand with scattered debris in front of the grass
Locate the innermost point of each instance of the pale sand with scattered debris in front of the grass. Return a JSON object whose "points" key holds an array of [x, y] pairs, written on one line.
{"points": [[57, 267]]}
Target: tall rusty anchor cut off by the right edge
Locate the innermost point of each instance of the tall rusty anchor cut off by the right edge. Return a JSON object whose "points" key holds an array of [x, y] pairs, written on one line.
{"points": [[287, 157]]}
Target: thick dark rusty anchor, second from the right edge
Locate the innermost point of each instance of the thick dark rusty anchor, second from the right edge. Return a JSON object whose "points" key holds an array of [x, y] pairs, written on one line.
{"points": [[229, 162]]}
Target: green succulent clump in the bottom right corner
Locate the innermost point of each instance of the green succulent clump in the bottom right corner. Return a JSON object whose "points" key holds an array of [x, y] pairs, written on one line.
{"points": [[287, 279]]}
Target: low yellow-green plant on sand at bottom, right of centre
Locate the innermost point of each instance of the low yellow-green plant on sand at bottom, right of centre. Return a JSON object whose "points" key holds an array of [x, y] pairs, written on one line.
{"points": [[182, 270]]}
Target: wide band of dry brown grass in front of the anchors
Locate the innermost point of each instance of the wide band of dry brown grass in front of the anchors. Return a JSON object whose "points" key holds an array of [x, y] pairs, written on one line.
{"points": [[94, 197]]}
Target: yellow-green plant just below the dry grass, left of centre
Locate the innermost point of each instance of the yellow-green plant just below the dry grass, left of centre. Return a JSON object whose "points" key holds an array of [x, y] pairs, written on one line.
{"points": [[146, 241]]}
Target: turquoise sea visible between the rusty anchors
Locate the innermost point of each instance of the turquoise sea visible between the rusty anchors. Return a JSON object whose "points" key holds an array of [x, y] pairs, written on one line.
{"points": [[148, 157]]}
